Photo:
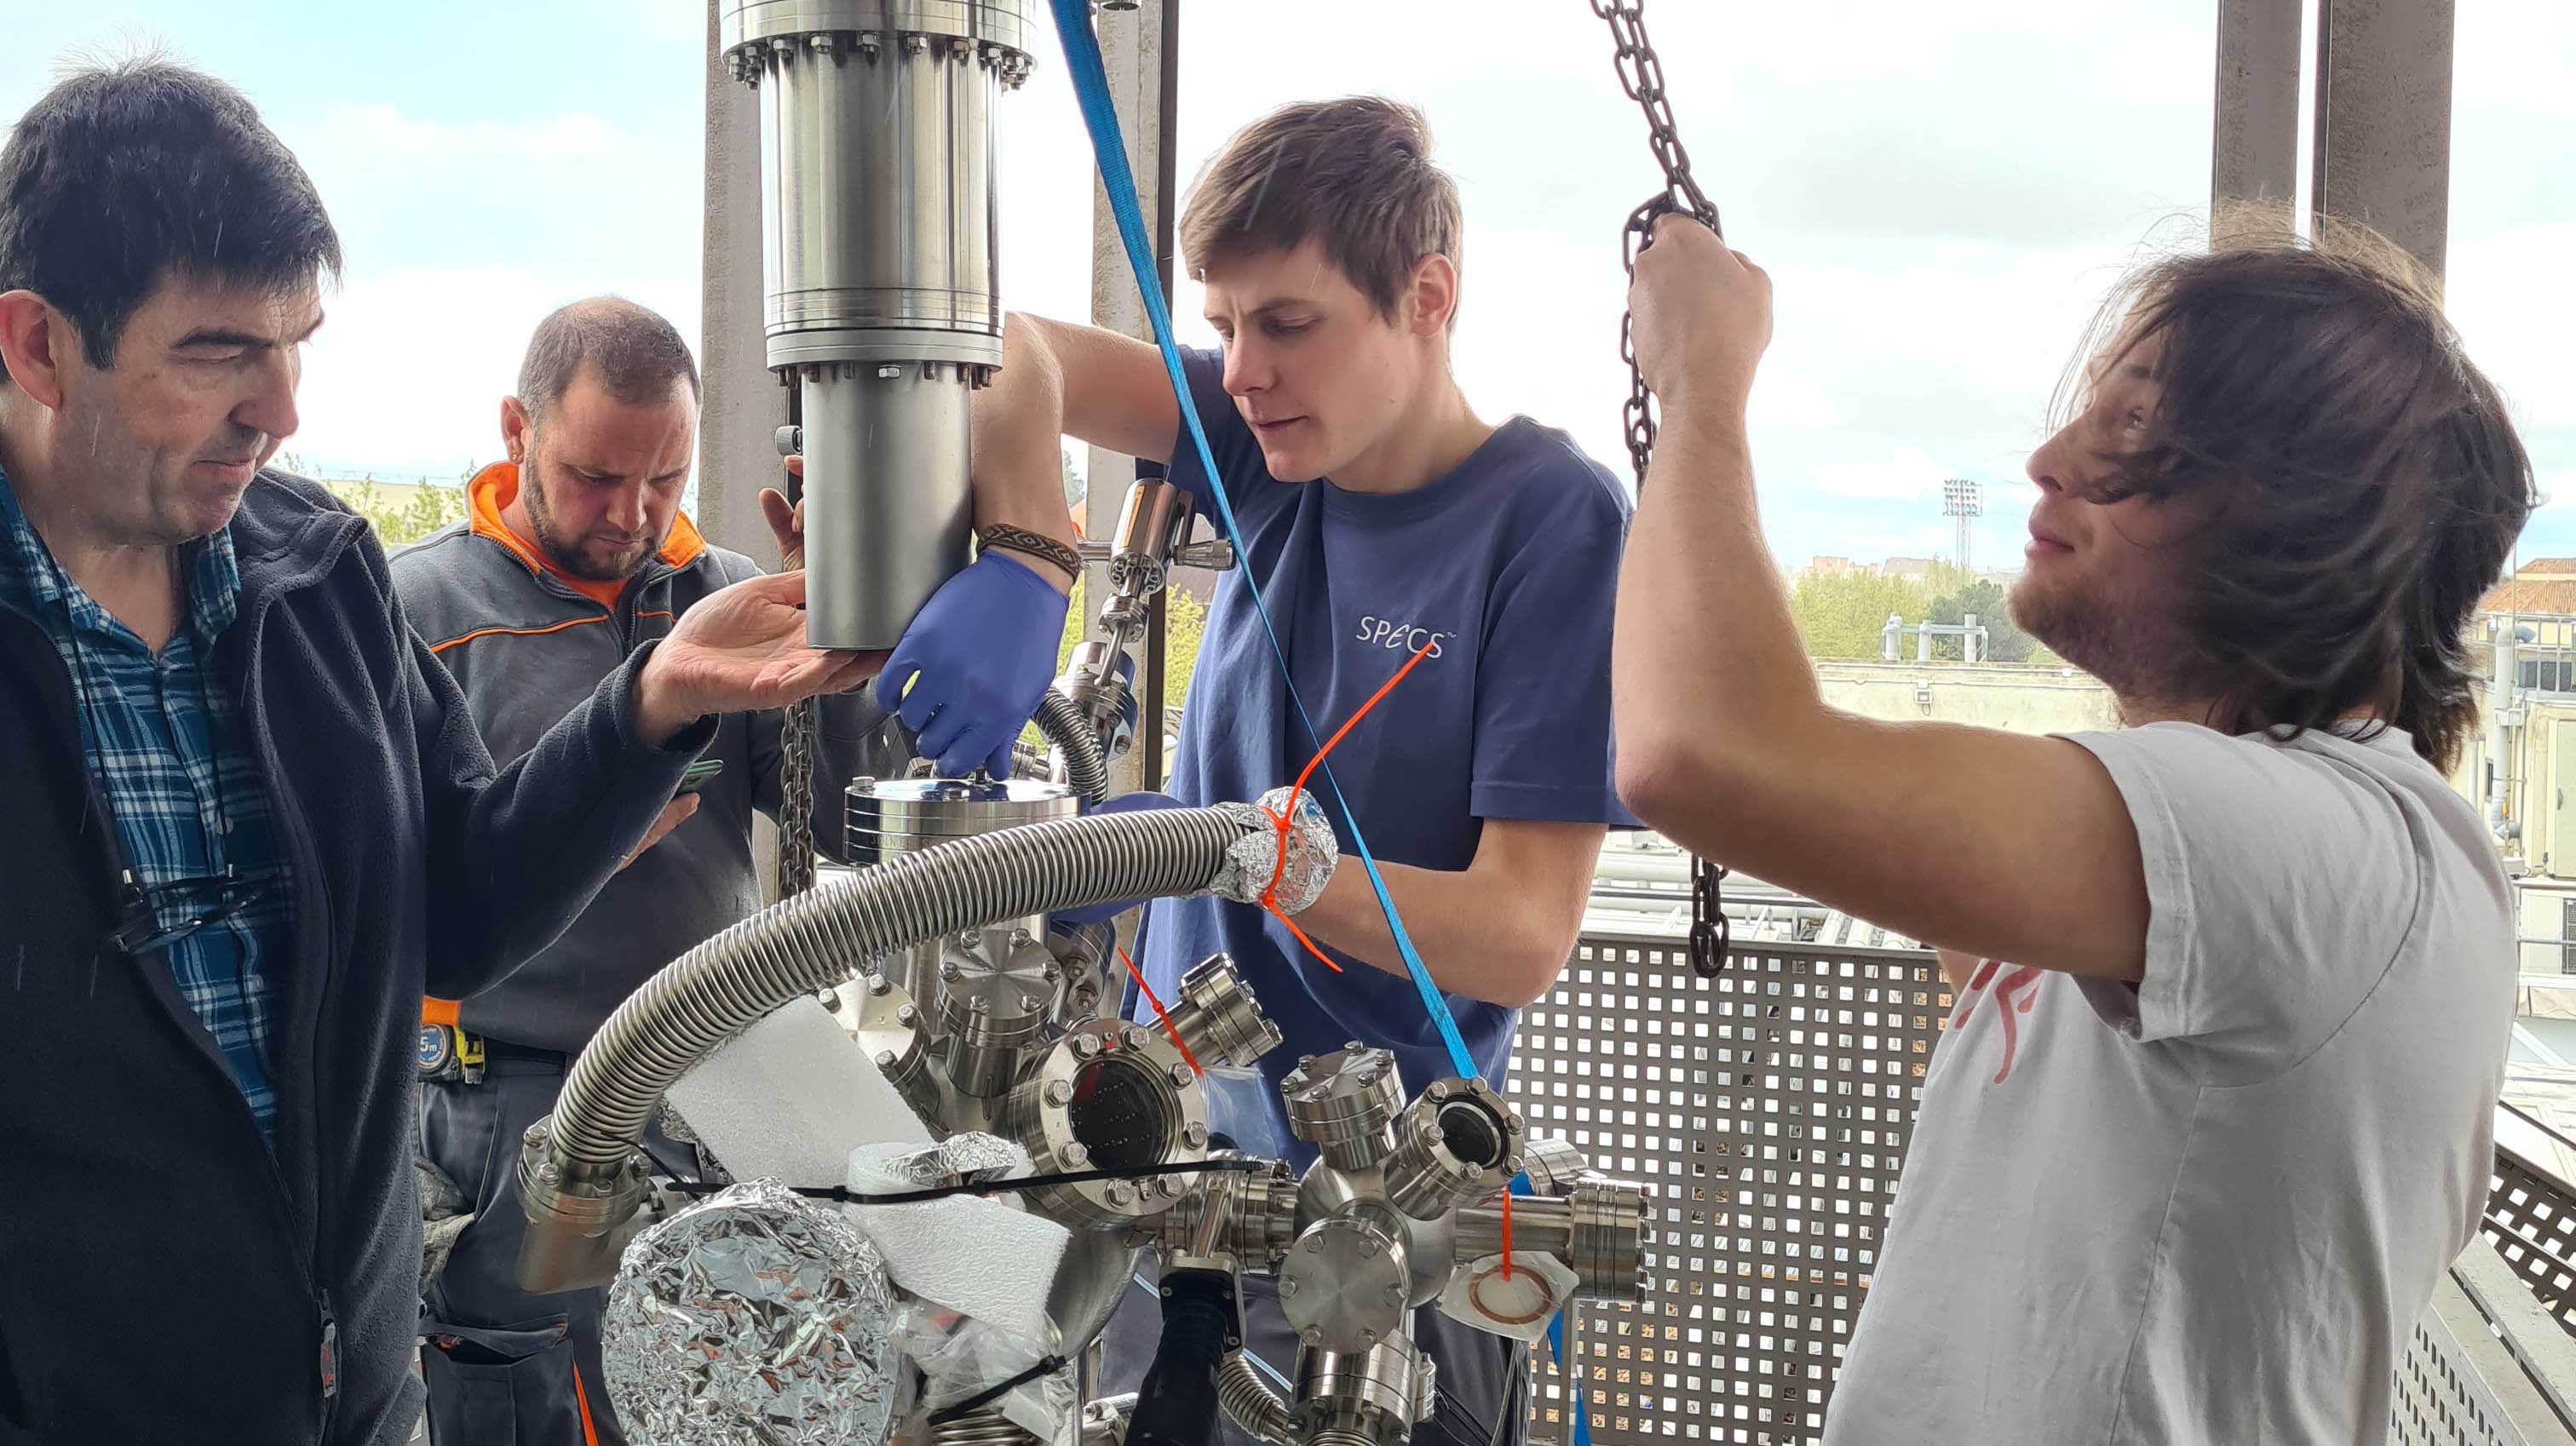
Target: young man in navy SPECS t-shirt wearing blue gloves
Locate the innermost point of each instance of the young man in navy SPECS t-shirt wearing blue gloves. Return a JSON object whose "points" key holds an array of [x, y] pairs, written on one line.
{"points": [[1382, 518]]}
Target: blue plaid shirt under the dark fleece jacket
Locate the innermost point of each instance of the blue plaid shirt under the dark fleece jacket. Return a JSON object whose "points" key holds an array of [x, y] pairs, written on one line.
{"points": [[179, 776]]}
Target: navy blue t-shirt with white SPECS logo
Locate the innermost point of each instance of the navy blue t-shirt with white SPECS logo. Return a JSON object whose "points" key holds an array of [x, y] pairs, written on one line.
{"points": [[1501, 575]]}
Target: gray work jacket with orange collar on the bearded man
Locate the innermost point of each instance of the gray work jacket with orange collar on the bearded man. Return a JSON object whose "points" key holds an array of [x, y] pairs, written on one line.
{"points": [[527, 647]]}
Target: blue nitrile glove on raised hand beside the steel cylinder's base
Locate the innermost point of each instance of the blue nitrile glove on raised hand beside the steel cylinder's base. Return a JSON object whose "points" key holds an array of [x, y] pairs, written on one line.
{"points": [[975, 663]]}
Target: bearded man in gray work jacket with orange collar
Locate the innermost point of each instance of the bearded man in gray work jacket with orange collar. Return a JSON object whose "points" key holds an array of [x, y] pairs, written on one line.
{"points": [[576, 554]]}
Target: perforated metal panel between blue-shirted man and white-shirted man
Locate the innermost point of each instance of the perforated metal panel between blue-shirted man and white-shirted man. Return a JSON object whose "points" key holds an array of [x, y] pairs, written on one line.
{"points": [[1771, 1110]]}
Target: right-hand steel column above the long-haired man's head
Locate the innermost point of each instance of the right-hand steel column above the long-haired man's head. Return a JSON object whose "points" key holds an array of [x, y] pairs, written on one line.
{"points": [[2384, 120]]}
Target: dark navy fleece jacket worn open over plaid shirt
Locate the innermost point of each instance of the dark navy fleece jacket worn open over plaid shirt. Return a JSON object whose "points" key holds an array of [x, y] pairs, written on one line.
{"points": [[164, 1277]]}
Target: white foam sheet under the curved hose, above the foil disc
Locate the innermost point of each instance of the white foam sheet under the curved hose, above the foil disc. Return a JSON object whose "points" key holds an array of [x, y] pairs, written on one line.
{"points": [[792, 1097]]}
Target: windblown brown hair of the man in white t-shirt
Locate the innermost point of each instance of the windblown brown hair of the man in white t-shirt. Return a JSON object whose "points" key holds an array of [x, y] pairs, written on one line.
{"points": [[2369, 477]]}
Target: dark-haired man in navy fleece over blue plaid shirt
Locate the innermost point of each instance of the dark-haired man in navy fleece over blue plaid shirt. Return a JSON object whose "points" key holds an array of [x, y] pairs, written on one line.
{"points": [[251, 822]]}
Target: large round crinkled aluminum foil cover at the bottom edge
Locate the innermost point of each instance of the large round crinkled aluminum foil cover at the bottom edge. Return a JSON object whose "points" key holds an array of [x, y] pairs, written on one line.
{"points": [[753, 1319]]}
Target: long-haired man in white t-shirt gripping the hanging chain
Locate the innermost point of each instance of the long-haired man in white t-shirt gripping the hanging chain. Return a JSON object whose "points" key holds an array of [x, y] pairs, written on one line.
{"points": [[2235, 982]]}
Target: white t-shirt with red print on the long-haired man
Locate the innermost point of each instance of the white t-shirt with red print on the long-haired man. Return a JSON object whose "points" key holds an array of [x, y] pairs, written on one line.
{"points": [[2209, 1208]]}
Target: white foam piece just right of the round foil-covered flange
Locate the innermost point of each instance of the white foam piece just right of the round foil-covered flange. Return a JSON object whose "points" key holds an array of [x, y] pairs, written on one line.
{"points": [[975, 1257]]}
